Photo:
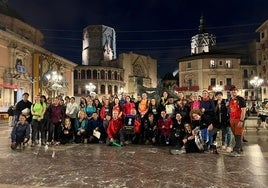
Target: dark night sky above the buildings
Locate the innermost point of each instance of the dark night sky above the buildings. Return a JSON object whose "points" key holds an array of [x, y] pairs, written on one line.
{"points": [[161, 29]]}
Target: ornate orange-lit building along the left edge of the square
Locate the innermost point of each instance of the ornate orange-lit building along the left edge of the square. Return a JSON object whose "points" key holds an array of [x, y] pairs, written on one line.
{"points": [[24, 63]]}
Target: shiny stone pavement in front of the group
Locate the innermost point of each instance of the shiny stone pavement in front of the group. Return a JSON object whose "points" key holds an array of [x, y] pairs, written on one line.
{"points": [[98, 165]]}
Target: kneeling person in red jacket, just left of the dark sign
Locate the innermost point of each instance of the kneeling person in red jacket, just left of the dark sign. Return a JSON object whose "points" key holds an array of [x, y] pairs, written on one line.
{"points": [[115, 130]]}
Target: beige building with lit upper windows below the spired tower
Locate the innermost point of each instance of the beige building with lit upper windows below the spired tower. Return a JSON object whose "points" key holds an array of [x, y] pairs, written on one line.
{"points": [[210, 72]]}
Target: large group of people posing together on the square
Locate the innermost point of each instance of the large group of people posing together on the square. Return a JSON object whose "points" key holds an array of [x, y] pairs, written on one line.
{"points": [[190, 125]]}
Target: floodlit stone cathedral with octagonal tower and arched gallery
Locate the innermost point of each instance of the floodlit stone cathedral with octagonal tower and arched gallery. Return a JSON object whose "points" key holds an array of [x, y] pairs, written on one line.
{"points": [[111, 75]]}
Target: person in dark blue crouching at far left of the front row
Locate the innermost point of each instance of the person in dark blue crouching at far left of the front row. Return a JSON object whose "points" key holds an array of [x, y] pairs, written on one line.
{"points": [[20, 133]]}
